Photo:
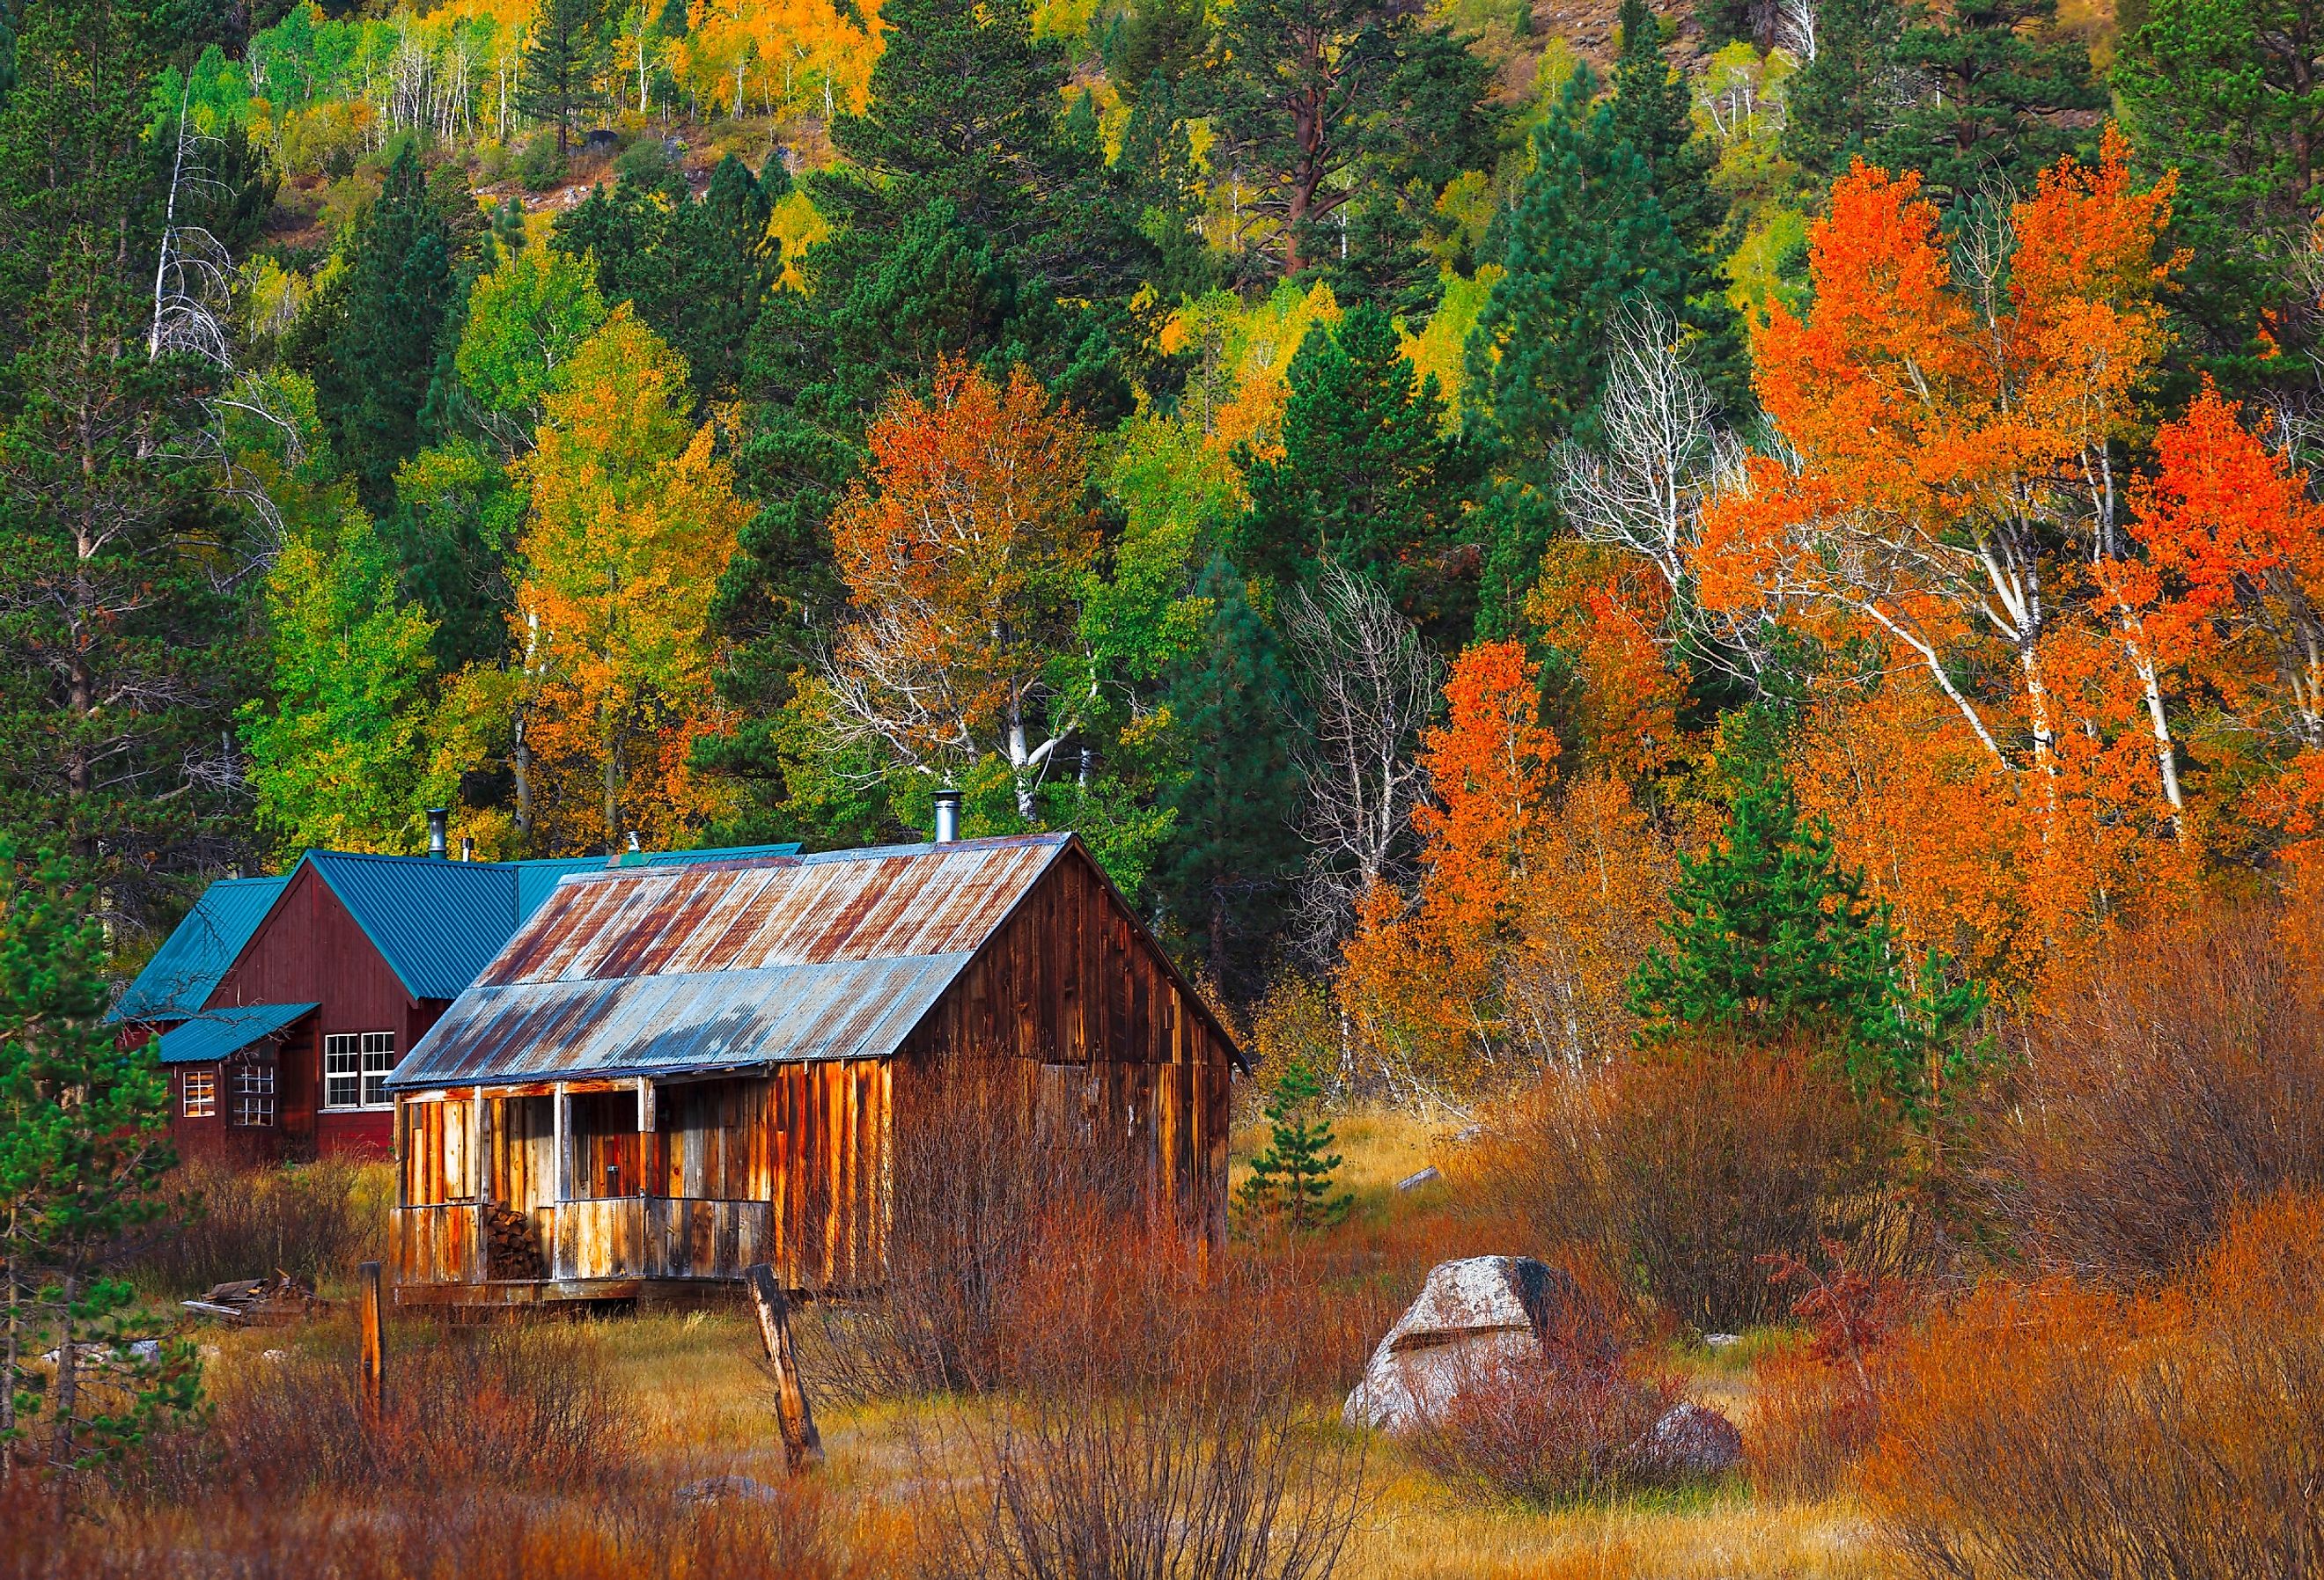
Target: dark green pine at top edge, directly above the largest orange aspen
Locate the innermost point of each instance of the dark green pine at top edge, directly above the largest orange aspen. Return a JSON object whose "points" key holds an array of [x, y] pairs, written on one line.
{"points": [[2004, 94]]}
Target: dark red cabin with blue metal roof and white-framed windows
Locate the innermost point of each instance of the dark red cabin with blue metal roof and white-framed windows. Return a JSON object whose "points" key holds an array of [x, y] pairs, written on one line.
{"points": [[280, 1005]]}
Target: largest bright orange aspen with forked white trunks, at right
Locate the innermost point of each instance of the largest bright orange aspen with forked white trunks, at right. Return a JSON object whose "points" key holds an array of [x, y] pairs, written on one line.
{"points": [[1951, 440]]}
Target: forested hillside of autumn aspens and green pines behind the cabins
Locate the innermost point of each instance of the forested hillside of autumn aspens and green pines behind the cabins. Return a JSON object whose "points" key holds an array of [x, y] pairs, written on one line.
{"points": [[1407, 487]]}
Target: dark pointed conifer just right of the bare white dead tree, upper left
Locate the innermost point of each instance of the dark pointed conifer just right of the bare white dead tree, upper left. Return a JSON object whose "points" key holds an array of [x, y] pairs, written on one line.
{"points": [[378, 340]]}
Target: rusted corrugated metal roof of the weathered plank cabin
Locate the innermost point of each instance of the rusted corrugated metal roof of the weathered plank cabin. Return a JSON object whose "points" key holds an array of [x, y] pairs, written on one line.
{"points": [[717, 965]]}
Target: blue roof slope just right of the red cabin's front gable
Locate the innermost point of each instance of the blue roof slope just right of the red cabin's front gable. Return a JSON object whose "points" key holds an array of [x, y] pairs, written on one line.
{"points": [[436, 924]]}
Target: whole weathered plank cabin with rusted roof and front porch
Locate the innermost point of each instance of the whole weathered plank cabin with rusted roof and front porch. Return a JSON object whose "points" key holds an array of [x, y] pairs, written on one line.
{"points": [[668, 1077]]}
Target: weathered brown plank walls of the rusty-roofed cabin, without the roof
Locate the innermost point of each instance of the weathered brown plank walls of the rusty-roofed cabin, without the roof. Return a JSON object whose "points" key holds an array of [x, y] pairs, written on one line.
{"points": [[794, 1165]]}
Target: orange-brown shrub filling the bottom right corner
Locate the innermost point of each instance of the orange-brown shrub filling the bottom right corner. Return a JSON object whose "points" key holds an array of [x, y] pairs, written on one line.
{"points": [[2076, 1435]]}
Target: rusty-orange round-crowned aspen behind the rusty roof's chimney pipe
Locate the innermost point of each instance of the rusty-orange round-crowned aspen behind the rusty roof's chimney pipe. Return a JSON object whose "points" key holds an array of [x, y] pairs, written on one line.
{"points": [[968, 550]]}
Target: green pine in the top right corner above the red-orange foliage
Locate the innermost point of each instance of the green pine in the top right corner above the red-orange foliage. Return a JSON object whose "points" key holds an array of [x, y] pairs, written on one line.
{"points": [[2228, 94]]}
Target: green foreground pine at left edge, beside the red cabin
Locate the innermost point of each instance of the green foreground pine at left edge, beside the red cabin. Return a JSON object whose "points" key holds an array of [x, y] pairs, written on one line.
{"points": [[85, 1144]]}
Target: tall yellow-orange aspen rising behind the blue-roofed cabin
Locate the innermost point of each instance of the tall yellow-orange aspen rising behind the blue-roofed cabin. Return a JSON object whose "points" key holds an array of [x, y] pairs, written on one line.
{"points": [[633, 519]]}
